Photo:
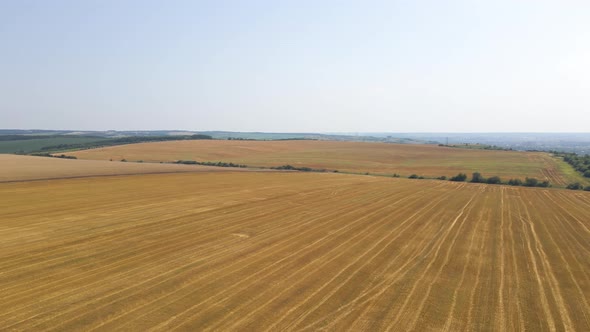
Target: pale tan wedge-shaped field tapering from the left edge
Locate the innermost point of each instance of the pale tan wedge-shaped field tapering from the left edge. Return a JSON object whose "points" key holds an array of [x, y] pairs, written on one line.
{"points": [[25, 168]]}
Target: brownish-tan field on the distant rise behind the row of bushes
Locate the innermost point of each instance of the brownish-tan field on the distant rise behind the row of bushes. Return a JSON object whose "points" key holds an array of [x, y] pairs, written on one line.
{"points": [[380, 158]]}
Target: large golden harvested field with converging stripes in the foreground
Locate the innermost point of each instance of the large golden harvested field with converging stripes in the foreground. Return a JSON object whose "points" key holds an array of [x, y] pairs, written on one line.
{"points": [[291, 251]]}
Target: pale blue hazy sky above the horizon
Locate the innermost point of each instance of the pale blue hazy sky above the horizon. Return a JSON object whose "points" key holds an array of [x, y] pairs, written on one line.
{"points": [[296, 66]]}
